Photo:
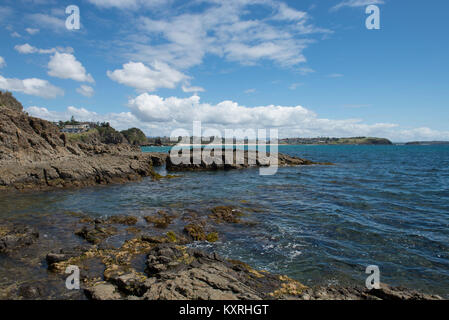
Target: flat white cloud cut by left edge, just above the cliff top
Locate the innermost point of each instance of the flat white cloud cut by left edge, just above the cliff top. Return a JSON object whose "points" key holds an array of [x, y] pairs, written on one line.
{"points": [[32, 86]]}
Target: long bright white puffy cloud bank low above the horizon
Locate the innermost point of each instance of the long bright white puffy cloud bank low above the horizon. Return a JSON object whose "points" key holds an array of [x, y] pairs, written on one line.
{"points": [[152, 108]]}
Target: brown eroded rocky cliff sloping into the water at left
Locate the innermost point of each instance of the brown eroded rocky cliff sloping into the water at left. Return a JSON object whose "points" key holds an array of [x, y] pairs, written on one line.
{"points": [[35, 155]]}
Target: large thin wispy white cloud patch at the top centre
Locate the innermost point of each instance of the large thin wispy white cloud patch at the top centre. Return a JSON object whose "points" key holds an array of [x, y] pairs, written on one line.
{"points": [[223, 28]]}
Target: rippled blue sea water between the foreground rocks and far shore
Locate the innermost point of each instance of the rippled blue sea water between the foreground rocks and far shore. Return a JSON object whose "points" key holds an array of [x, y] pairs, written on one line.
{"points": [[378, 205]]}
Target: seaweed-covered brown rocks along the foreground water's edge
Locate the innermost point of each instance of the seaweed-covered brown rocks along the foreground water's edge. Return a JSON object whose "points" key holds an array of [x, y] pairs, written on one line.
{"points": [[156, 262]]}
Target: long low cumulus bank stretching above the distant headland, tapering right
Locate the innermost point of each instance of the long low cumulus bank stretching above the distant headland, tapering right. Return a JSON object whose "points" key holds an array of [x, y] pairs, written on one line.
{"points": [[296, 120]]}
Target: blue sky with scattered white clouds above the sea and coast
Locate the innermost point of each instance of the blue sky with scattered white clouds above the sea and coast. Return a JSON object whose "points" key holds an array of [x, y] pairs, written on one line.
{"points": [[308, 68]]}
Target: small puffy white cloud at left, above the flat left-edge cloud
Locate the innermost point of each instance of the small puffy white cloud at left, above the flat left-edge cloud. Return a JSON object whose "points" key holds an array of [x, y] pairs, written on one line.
{"points": [[65, 66]]}
